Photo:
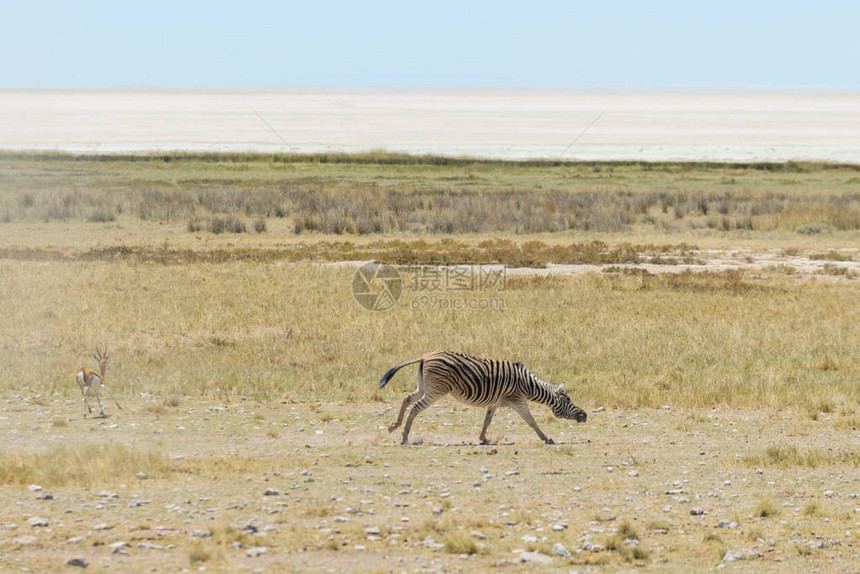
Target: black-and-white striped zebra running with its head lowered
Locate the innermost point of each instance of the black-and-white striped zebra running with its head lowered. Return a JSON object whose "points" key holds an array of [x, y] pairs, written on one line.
{"points": [[481, 383]]}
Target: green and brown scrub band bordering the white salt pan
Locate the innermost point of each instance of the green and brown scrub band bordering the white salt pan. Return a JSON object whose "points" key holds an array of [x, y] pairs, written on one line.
{"points": [[388, 193]]}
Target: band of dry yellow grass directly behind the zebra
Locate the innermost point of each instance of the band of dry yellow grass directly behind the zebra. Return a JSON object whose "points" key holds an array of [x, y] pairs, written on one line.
{"points": [[687, 340]]}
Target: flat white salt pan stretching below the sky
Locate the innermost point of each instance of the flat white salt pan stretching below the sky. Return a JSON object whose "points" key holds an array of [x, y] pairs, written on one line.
{"points": [[717, 126]]}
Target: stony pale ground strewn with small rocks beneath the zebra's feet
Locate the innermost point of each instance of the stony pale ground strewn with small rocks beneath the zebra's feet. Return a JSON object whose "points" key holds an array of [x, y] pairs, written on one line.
{"points": [[324, 487]]}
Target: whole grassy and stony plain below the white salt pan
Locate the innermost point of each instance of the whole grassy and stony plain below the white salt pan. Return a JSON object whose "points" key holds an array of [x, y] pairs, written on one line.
{"points": [[704, 315]]}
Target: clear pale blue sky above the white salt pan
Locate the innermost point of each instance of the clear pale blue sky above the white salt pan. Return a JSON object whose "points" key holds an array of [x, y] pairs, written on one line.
{"points": [[440, 43]]}
